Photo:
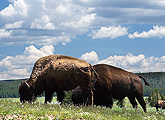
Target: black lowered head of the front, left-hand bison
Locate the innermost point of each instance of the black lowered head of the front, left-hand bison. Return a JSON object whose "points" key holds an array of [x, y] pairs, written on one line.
{"points": [[26, 93]]}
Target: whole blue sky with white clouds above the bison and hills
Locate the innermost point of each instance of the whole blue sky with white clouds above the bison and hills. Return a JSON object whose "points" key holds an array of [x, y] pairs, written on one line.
{"points": [[129, 34]]}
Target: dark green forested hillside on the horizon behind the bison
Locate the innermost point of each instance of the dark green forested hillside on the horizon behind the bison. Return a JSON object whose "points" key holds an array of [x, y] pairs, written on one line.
{"points": [[9, 88]]}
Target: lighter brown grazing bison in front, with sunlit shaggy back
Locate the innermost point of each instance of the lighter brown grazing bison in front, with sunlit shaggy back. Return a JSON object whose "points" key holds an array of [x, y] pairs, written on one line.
{"points": [[57, 73]]}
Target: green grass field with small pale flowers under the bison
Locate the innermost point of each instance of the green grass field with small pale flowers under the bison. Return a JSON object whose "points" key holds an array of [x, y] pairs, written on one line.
{"points": [[12, 109]]}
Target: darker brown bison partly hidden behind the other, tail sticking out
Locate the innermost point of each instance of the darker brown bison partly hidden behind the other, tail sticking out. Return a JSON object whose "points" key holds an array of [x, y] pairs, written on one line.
{"points": [[114, 83]]}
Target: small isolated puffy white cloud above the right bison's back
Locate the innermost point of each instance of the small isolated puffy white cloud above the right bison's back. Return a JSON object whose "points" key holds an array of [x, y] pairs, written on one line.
{"points": [[111, 32]]}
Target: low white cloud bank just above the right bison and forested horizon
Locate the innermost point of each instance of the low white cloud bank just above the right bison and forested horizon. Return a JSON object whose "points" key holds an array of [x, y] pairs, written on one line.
{"points": [[139, 63]]}
